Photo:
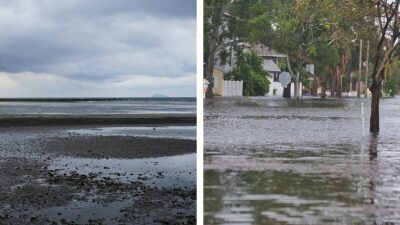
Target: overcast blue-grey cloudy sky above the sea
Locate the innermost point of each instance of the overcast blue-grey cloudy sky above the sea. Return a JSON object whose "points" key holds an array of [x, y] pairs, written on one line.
{"points": [[98, 48]]}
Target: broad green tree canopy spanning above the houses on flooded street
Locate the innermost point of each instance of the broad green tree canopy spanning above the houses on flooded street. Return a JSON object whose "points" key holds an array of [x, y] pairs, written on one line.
{"points": [[308, 31]]}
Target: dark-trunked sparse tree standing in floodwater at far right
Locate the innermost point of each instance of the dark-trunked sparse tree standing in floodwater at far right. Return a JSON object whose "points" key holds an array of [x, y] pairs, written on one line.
{"points": [[387, 15]]}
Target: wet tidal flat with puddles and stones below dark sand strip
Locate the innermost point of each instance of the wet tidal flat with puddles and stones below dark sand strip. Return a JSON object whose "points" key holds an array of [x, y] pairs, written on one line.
{"points": [[50, 175]]}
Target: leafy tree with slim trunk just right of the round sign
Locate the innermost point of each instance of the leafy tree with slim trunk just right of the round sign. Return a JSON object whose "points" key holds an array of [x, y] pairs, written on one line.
{"points": [[300, 27]]}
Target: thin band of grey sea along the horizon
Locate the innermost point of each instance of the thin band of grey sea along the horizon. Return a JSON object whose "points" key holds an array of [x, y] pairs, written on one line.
{"points": [[98, 105]]}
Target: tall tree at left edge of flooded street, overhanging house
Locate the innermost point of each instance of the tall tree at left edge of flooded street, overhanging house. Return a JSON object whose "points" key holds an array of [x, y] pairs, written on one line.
{"points": [[228, 23]]}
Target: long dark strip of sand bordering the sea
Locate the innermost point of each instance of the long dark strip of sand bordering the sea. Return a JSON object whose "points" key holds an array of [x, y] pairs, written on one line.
{"points": [[96, 119]]}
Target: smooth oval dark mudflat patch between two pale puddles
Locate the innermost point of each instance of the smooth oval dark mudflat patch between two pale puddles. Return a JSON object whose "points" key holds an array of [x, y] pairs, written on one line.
{"points": [[120, 146]]}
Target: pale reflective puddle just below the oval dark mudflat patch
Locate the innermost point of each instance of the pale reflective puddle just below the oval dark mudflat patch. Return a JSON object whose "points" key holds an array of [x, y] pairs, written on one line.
{"points": [[168, 172]]}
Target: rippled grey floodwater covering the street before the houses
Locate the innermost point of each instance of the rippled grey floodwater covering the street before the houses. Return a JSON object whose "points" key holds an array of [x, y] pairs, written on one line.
{"points": [[275, 161]]}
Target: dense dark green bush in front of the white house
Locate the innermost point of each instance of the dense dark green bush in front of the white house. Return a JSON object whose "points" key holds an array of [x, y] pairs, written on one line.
{"points": [[249, 69]]}
